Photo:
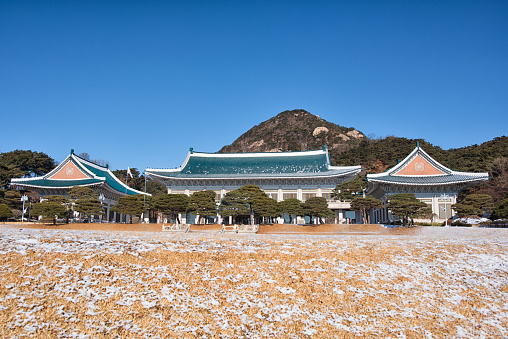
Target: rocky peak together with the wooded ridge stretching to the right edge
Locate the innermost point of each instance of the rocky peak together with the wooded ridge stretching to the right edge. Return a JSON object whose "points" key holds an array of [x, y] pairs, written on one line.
{"points": [[299, 130]]}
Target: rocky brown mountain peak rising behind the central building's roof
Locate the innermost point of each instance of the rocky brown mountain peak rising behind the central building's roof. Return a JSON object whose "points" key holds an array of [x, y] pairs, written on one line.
{"points": [[296, 130]]}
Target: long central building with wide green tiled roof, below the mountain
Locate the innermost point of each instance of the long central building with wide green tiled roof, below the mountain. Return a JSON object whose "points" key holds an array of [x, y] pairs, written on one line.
{"points": [[282, 175]]}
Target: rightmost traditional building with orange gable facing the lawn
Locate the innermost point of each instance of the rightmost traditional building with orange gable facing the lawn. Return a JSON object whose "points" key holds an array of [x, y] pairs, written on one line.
{"points": [[431, 182]]}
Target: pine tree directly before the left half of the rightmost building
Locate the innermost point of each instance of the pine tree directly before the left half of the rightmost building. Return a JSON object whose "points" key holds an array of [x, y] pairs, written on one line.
{"points": [[406, 206]]}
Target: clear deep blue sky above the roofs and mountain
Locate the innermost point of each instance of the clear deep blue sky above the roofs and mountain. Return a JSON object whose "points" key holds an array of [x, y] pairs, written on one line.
{"points": [[137, 83]]}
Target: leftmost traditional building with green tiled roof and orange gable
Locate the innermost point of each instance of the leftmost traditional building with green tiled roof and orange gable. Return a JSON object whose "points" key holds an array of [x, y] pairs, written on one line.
{"points": [[76, 171]]}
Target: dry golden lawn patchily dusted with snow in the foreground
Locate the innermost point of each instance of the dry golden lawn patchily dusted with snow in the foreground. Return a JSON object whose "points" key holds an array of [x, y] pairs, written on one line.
{"points": [[90, 284]]}
